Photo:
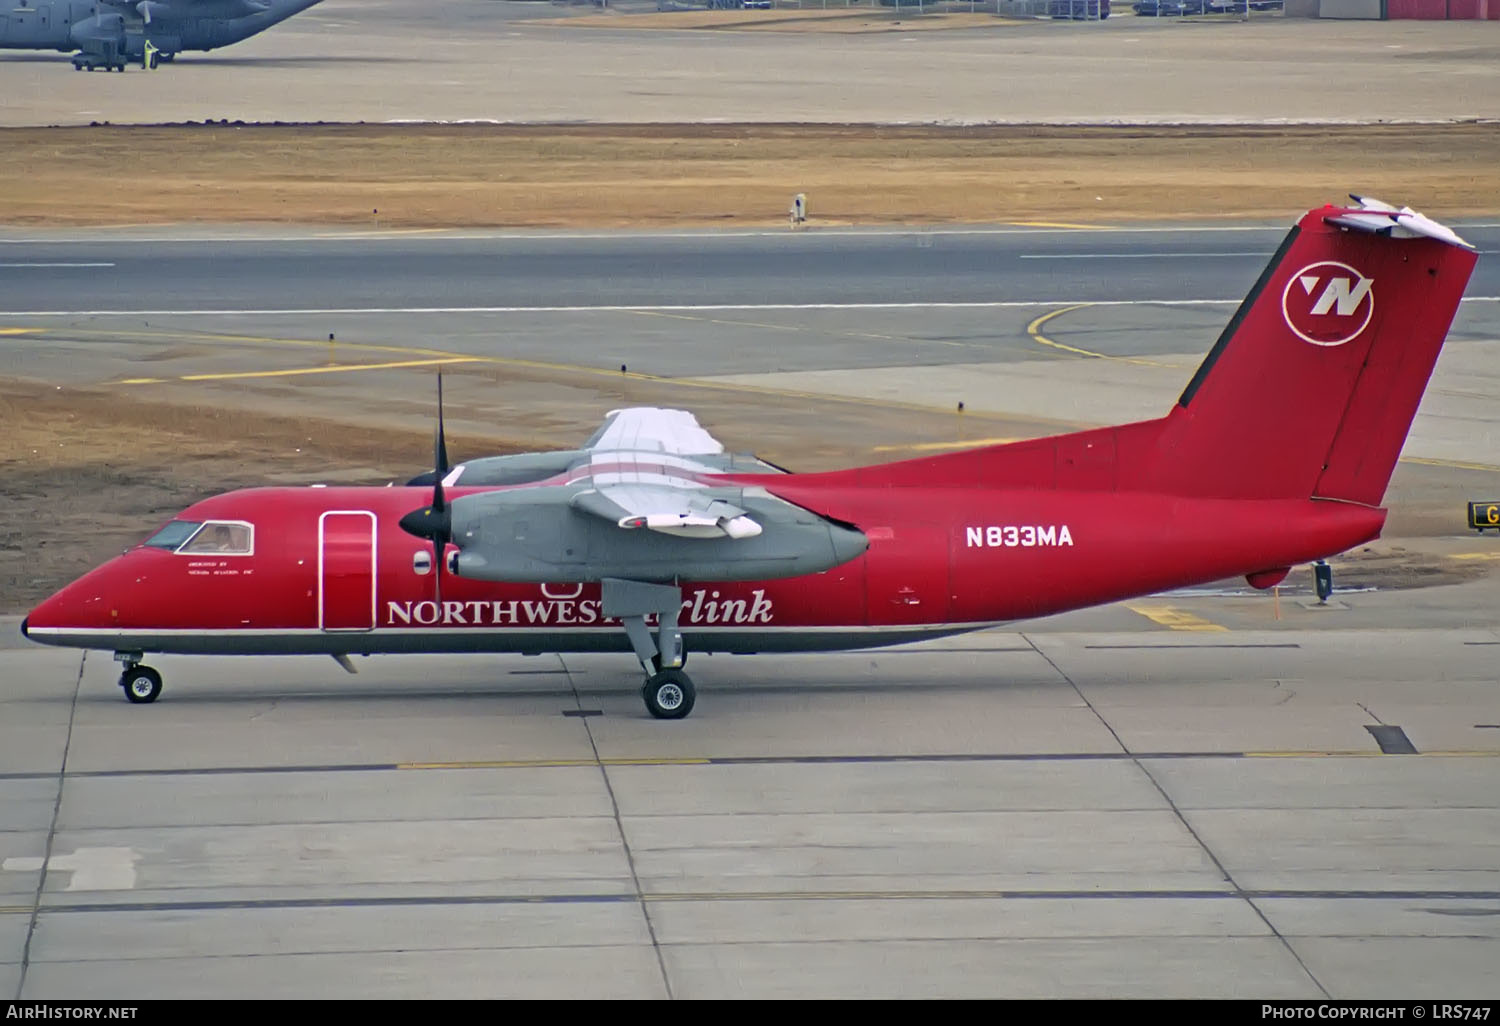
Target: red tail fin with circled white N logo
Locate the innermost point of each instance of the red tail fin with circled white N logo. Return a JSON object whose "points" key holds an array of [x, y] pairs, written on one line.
{"points": [[1313, 386]]}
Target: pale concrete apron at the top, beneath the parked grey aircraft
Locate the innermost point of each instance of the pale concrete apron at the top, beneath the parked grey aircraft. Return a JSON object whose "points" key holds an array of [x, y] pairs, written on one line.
{"points": [[358, 61]]}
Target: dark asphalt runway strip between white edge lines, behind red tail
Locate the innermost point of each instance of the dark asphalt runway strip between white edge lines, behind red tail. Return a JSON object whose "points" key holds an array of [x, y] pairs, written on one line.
{"points": [[152, 271]]}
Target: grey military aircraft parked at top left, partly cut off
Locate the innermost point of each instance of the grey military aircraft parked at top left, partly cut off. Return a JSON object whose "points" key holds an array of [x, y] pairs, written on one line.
{"points": [[107, 34]]}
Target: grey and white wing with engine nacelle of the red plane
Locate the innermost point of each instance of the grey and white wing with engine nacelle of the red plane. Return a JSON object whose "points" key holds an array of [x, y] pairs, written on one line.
{"points": [[643, 500]]}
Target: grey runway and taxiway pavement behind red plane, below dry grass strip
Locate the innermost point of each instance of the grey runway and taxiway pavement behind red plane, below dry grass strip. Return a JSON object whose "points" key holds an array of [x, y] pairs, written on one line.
{"points": [[1040, 328]]}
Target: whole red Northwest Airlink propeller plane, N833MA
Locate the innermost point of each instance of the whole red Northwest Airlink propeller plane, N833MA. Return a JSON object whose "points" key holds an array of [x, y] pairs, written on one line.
{"points": [[652, 539]]}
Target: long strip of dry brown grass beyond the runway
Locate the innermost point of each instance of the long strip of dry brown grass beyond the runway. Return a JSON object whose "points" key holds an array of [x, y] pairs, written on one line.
{"points": [[728, 176]]}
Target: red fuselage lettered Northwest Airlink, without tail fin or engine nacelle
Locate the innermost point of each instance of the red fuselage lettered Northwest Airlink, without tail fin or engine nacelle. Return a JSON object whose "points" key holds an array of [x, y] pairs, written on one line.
{"points": [[329, 571]]}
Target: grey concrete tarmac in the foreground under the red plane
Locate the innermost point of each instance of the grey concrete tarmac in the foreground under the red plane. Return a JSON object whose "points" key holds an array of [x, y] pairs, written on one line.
{"points": [[1042, 814]]}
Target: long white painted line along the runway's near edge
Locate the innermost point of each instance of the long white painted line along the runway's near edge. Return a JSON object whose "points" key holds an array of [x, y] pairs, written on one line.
{"points": [[671, 308]]}
